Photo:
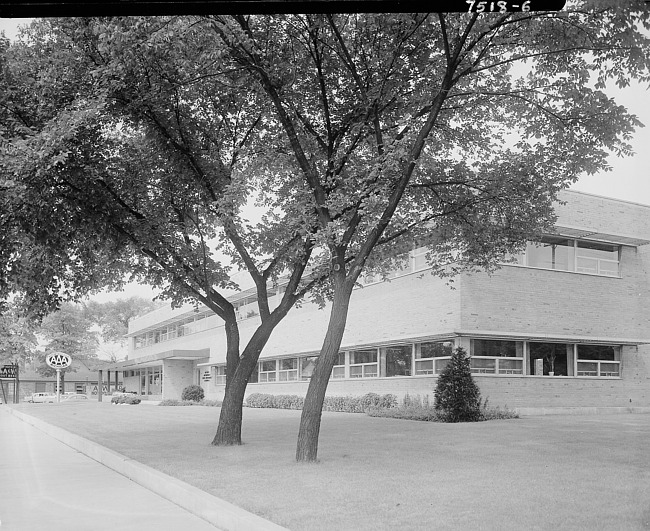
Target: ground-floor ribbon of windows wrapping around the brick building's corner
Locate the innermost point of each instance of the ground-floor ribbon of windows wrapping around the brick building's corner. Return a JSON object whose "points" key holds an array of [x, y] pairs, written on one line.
{"points": [[499, 357]]}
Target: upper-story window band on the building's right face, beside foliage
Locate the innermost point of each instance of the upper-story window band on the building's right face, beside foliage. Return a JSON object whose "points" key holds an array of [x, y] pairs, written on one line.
{"points": [[566, 254]]}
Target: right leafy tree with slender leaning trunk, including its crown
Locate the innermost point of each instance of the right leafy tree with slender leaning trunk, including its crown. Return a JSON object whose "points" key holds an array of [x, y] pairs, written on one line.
{"points": [[421, 125]]}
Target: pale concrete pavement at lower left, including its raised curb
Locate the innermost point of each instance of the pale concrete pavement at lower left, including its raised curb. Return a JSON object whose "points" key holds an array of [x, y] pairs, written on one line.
{"points": [[61, 479]]}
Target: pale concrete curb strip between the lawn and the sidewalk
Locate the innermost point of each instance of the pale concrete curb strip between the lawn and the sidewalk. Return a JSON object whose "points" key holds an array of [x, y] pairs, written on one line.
{"points": [[218, 512]]}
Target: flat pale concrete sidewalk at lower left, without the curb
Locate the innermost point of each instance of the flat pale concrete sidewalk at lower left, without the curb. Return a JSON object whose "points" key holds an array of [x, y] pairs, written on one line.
{"points": [[45, 484]]}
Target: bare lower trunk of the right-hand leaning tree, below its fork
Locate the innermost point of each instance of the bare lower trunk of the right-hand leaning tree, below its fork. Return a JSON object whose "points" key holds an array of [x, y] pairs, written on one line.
{"points": [[307, 448]]}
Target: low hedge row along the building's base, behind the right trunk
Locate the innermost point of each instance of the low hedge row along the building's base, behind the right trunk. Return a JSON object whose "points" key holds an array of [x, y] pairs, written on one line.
{"points": [[345, 404]]}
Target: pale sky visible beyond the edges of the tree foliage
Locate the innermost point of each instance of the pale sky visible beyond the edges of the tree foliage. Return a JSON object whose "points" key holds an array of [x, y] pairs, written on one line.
{"points": [[628, 180]]}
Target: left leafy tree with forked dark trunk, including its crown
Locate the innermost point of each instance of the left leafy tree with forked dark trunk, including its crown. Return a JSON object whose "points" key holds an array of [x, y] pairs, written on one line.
{"points": [[138, 154]]}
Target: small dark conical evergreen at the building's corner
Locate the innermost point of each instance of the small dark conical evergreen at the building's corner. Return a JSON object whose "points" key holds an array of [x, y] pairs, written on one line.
{"points": [[457, 396]]}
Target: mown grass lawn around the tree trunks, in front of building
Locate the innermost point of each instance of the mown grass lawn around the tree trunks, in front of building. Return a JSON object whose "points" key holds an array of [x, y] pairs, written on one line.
{"points": [[553, 472]]}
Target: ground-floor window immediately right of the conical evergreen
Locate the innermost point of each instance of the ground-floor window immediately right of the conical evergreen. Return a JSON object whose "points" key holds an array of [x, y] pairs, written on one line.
{"points": [[497, 356]]}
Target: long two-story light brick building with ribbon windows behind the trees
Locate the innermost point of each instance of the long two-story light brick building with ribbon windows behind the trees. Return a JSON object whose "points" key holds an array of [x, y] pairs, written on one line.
{"points": [[567, 325]]}
